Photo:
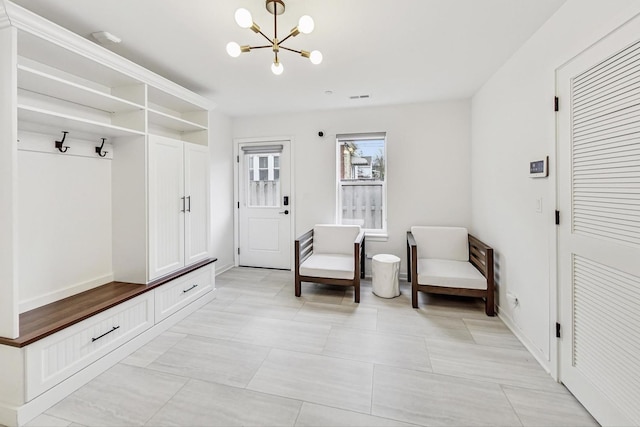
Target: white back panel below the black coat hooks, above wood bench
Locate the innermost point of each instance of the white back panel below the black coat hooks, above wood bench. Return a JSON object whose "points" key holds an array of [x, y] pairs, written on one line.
{"points": [[65, 223]]}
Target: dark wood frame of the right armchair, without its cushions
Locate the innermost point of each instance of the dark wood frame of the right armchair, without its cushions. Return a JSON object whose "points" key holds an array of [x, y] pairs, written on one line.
{"points": [[480, 255]]}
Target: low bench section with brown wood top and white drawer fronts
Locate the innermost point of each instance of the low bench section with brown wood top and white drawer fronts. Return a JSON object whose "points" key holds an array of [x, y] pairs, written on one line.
{"points": [[60, 342]]}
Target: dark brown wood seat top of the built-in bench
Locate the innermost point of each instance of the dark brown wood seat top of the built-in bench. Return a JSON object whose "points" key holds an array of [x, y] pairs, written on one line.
{"points": [[43, 321]]}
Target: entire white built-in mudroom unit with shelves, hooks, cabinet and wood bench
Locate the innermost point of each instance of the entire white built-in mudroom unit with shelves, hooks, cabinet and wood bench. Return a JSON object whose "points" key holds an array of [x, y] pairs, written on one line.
{"points": [[104, 210]]}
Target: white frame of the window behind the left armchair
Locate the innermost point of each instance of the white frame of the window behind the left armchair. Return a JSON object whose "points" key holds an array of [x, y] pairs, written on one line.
{"points": [[371, 233]]}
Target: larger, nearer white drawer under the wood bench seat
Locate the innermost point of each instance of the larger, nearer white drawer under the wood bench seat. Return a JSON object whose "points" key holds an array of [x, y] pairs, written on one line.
{"points": [[55, 358]]}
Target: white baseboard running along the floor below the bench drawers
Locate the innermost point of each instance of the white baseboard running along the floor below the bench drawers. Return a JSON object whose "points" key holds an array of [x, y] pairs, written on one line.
{"points": [[11, 415]]}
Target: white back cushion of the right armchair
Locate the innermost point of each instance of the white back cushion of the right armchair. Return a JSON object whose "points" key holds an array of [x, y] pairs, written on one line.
{"points": [[442, 242]]}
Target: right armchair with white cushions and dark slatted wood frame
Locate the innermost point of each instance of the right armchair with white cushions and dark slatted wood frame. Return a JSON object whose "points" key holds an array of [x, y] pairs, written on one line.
{"points": [[448, 260]]}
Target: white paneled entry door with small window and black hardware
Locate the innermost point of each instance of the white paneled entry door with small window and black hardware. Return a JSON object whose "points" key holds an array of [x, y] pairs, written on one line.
{"points": [[265, 205]]}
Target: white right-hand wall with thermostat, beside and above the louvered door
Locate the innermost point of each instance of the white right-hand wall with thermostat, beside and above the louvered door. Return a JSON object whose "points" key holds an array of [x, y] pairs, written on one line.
{"points": [[513, 123]]}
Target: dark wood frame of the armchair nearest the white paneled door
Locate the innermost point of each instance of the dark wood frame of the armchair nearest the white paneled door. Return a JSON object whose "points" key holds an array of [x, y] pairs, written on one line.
{"points": [[304, 249]]}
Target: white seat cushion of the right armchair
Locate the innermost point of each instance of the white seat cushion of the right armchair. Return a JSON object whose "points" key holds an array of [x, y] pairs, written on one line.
{"points": [[450, 273]]}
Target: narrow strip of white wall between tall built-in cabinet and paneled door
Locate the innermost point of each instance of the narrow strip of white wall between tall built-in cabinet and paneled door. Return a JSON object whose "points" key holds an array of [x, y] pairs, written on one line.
{"points": [[221, 152]]}
